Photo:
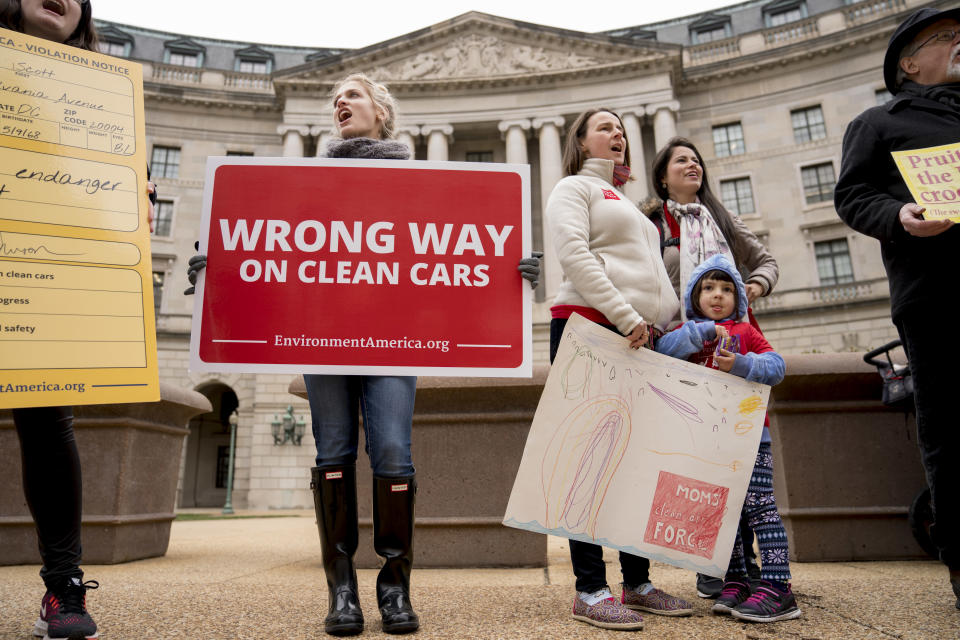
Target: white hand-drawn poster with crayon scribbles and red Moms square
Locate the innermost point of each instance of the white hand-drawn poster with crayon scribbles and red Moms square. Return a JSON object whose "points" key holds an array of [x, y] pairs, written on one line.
{"points": [[639, 452]]}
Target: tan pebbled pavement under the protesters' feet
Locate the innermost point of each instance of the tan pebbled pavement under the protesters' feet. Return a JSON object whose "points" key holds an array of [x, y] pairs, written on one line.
{"points": [[261, 578]]}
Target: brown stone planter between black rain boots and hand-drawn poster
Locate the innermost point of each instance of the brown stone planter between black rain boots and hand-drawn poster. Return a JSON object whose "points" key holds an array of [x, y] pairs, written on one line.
{"points": [[469, 435]]}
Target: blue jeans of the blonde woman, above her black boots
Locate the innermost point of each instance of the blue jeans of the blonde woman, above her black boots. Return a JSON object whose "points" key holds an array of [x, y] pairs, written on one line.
{"points": [[387, 406]]}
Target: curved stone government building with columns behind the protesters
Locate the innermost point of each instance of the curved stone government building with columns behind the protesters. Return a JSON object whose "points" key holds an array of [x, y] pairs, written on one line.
{"points": [[765, 89]]}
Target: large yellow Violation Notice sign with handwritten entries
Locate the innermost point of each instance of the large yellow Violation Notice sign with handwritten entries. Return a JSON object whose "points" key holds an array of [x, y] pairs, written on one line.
{"points": [[76, 287]]}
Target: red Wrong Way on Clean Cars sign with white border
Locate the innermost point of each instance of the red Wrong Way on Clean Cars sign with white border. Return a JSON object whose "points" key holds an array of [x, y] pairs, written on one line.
{"points": [[378, 267]]}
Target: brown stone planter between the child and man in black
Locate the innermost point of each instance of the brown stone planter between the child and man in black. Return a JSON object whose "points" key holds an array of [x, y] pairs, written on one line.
{"points": [[846, 467]]}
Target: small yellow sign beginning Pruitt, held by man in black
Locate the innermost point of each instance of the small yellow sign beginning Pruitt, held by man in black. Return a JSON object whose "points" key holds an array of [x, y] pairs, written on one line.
{"points": [[933, 177]]}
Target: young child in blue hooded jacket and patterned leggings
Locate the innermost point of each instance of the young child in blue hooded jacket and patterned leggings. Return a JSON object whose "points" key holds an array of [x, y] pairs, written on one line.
{"points": [[714, 336]]}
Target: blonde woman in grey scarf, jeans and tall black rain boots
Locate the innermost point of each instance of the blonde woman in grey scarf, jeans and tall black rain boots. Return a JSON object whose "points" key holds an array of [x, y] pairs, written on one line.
{"points": [[364, 115]]}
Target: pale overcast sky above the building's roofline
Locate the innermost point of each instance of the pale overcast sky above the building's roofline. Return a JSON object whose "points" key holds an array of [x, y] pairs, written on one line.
{"points": [[313, 23]]}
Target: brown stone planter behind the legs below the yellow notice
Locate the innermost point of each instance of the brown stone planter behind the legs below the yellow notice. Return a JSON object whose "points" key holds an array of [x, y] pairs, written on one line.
{"points": [[130, 455]]}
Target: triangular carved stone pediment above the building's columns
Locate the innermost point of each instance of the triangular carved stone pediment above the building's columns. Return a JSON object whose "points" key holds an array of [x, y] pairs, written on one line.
{"points": [[478, 48]]}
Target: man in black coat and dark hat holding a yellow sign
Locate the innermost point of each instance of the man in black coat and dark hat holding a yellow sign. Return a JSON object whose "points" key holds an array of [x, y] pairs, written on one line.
{"points": [[922, 70]]}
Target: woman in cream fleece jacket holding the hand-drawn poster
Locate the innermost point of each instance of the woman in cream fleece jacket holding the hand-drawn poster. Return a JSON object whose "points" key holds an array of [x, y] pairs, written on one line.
{"points": [[613, 275]]}
